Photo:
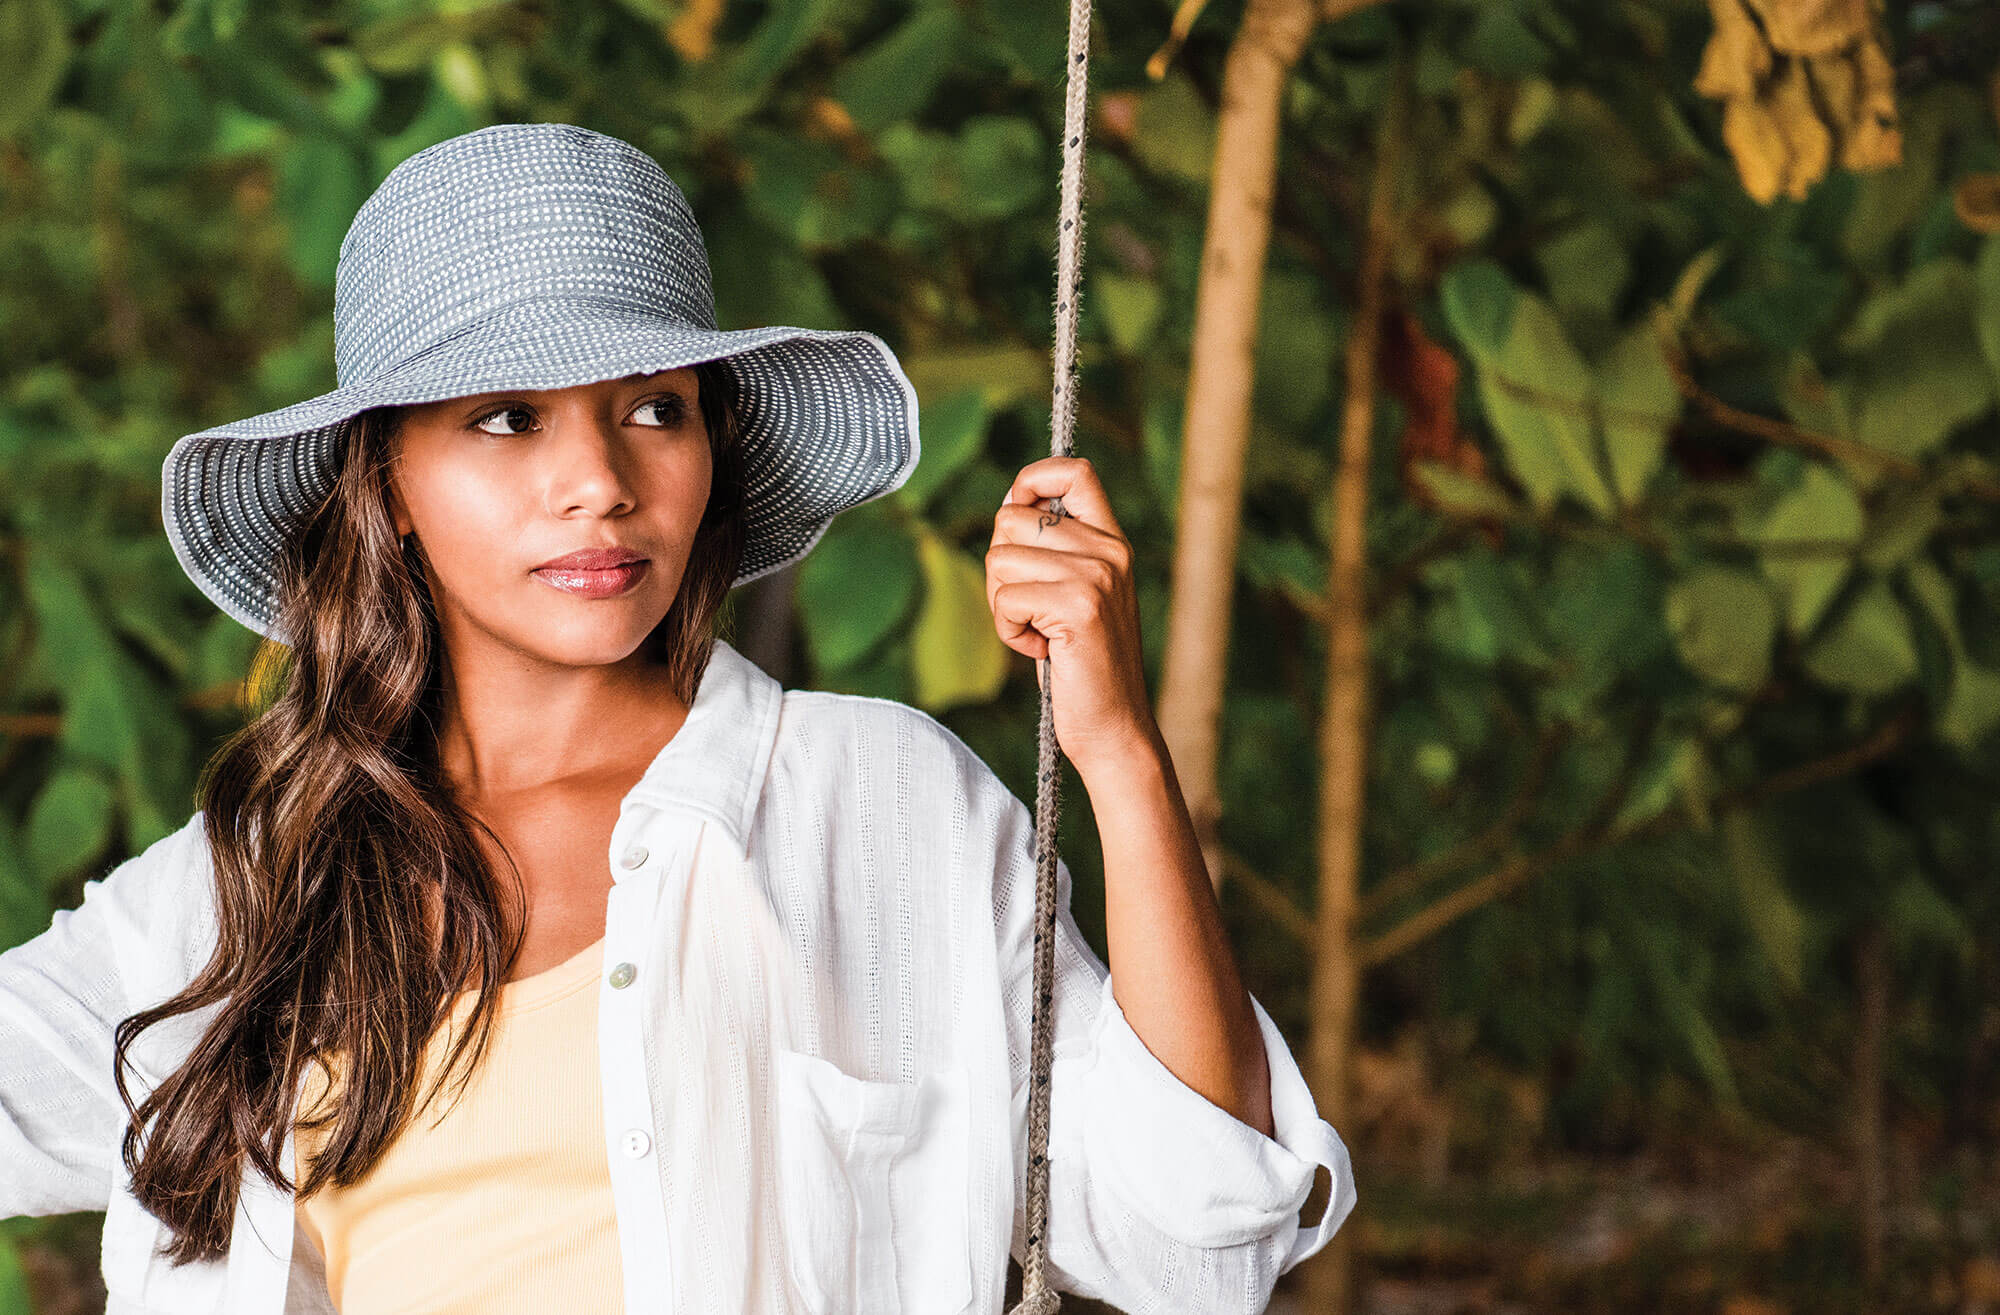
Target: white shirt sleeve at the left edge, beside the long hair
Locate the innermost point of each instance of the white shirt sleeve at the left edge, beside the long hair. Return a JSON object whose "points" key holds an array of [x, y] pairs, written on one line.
{"points": [[63, 996]]}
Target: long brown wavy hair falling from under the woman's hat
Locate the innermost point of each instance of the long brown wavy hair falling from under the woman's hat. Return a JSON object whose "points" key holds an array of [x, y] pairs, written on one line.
{"points": [[353, 900]]}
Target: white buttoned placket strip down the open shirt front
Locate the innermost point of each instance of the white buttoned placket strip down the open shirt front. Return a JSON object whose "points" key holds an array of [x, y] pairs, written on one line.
{"points": [[649, 854]]}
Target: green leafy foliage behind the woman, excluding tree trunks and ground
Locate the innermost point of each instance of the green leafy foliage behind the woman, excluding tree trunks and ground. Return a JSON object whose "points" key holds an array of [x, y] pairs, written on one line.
{"points": [[1635, 617]]}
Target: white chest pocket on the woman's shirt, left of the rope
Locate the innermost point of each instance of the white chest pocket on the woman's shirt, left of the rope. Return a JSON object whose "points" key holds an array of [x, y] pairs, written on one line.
{"points": [[873, 1182]]}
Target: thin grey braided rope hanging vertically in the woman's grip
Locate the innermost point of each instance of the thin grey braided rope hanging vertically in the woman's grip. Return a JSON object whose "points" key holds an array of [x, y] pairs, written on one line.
{"points": [[1035, 1296]]}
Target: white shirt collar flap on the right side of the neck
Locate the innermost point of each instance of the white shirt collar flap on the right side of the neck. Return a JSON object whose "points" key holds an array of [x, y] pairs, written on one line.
{"points": [[717, 760]]}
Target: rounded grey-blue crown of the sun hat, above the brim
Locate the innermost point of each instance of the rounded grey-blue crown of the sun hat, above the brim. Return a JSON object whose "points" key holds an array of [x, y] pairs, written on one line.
{"points": [[511, 215]]}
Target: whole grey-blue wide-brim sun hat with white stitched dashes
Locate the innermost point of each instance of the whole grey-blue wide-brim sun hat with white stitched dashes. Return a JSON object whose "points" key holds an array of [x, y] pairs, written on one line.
{"points": [[529, 257]]}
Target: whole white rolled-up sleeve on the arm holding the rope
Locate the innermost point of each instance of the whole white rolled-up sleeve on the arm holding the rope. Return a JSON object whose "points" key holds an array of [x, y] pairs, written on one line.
{"points": [[1159, 1198]]}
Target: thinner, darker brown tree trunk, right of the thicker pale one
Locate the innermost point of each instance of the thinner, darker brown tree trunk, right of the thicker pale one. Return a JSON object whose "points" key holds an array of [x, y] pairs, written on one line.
{"points": [[1337, 966]]}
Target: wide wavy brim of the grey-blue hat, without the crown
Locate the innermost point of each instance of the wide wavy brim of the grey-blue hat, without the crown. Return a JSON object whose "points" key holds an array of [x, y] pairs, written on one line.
{"points": [[829, 423]]}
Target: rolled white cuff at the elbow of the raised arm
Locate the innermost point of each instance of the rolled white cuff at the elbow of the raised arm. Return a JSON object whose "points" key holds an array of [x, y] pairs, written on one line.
{"points": [[1195, 1170]]}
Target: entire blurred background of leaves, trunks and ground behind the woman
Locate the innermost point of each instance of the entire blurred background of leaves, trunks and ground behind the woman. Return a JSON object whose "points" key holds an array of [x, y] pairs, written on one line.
{"points": [[1639, 912]]}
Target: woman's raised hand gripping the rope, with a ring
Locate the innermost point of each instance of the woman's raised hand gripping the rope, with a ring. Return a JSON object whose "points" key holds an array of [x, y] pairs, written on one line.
{"points": [[1061, 589]]}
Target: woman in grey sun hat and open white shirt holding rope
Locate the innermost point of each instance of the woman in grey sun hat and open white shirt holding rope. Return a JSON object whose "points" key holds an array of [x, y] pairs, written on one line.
{"points": [[729, 982]]}
